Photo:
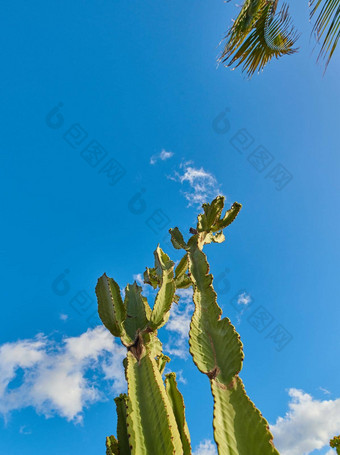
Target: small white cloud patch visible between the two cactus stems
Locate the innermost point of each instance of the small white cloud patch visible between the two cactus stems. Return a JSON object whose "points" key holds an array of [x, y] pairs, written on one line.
{"points": [[179, 324]]}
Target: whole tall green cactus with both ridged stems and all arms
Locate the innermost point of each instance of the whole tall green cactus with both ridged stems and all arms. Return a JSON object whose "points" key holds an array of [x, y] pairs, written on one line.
{"points": [[151, 416]]}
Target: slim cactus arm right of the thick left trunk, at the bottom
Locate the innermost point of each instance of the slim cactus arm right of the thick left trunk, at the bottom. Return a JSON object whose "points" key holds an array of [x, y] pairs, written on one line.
{"points": [[177, 403]]}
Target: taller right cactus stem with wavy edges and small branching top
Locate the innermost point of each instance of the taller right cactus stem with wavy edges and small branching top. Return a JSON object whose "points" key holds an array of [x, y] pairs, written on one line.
{"points": [[239, 428]]}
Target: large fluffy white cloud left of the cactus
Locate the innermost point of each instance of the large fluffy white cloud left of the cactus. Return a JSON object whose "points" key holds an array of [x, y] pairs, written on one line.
{"points": [[59, 378]]}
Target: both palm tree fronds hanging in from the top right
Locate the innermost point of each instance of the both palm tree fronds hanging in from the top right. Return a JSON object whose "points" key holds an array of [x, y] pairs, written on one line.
{"points": [[261, 32]]}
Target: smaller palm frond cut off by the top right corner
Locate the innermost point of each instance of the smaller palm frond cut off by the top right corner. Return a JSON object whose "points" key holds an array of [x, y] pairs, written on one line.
{"points": [[327, 24]]}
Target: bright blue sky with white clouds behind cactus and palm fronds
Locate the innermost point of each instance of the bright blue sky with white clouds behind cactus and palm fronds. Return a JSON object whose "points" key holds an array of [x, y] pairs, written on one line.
{"points": [[134, 79]]}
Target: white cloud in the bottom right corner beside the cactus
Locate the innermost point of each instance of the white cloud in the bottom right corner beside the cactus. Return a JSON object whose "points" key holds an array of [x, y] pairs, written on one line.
{"points": [[308, 425]]}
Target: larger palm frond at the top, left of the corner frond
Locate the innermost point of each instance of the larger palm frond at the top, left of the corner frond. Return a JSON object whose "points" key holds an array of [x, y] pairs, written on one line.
{"points": [[258, 35]]}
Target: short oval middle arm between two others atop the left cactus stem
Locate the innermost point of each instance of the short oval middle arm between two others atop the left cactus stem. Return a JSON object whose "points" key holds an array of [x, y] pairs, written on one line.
{"points": [[137, 309]]}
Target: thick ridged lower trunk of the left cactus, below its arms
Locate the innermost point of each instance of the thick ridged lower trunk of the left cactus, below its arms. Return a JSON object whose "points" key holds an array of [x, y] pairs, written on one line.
{"points": [[151, 422]]}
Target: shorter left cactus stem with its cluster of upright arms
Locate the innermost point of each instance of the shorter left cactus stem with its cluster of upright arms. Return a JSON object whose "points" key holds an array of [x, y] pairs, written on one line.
{"points": [[151, 419]]}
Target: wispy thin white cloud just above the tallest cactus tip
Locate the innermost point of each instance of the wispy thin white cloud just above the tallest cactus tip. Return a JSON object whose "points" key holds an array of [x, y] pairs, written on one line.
{"points": [[203, 186]]}
